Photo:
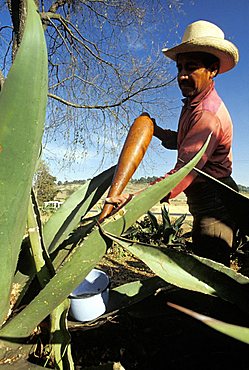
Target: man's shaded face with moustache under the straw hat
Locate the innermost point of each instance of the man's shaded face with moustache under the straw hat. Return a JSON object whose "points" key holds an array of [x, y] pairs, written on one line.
{"points": [[193, 77]]}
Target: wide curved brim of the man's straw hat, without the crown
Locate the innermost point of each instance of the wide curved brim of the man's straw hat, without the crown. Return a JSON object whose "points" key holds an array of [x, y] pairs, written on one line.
{"points": [[226, 51]]}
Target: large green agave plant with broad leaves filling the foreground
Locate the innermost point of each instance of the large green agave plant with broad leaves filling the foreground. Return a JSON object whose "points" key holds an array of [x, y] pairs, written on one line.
{"points": [[47, 263]]}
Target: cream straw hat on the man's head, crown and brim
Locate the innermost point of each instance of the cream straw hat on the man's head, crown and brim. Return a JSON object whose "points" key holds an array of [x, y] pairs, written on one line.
{"points": [[206, 37]]}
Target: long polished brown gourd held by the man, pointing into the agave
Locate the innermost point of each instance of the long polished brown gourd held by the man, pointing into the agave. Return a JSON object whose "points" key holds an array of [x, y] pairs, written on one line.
{"points": [[135, 146]]}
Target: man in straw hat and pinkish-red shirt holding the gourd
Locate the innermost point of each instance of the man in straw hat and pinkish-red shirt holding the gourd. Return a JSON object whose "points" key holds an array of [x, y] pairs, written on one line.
{"points": [[203, 54]]}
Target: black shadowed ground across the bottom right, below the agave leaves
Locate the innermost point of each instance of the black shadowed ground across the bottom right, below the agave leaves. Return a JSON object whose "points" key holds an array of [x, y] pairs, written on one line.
{"points": [[152, 336]]}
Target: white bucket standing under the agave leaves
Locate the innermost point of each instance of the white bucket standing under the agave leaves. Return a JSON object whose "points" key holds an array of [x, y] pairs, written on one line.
{"points": [[89, 300]]}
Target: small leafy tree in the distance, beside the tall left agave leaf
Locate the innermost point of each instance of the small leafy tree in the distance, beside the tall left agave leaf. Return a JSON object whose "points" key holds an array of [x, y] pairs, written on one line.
{"points": [[44, 184]]}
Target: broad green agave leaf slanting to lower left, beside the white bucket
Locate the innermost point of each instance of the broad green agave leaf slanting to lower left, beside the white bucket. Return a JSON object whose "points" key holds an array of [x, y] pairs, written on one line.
{"points": [[83, 259]]}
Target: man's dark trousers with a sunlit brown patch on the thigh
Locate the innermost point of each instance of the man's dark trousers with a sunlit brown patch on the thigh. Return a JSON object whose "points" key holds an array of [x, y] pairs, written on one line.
{"points": [[213, 227]]}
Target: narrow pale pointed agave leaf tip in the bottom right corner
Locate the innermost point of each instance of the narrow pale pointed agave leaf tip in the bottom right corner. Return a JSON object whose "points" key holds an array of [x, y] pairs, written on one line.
{"points": [[238, 332]]}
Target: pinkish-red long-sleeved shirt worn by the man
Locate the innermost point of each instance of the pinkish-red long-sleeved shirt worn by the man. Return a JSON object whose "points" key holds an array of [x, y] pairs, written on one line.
{"points": [[201, 115]]}
